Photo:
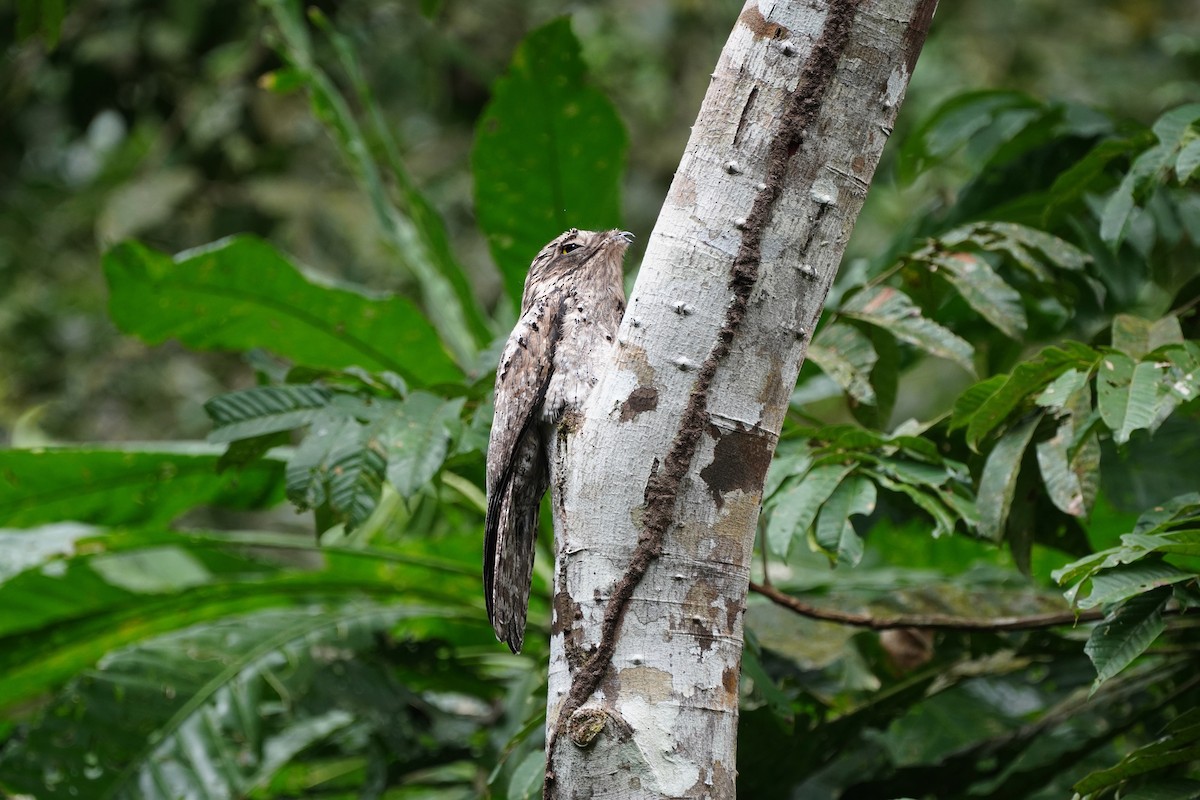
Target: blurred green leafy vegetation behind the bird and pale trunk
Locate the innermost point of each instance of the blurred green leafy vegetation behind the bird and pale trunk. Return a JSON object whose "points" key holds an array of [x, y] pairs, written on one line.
{"points": [[1000, 405]]}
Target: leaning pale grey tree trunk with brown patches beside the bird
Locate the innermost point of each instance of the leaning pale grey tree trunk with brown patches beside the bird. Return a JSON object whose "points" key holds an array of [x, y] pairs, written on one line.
{"points": [[658, 483]]}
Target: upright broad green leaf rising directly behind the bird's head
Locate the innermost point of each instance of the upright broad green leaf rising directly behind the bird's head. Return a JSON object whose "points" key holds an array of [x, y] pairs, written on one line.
{"points": [[549, 154]]}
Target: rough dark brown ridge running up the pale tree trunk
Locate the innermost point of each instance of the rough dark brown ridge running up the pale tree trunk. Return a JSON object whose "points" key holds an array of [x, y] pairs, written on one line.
{"points": [[665, 483]]}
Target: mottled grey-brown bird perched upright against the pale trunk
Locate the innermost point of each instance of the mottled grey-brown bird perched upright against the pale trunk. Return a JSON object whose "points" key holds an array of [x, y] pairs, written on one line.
{"points": [[573, 304]]}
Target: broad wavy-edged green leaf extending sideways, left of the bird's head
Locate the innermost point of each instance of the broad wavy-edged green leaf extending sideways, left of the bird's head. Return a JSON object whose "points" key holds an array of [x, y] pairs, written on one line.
{"points": [[242, 293]]}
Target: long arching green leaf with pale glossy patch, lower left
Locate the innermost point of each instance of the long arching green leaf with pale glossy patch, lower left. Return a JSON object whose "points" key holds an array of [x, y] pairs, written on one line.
{"points": [[123, 588]]}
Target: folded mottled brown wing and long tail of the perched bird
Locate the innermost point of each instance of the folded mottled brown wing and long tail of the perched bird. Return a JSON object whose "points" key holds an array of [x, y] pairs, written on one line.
{"points": [[517, 470]]}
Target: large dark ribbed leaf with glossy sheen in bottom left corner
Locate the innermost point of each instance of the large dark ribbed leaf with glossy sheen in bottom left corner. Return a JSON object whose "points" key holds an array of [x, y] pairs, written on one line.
{"points": [[221, 706]]}
